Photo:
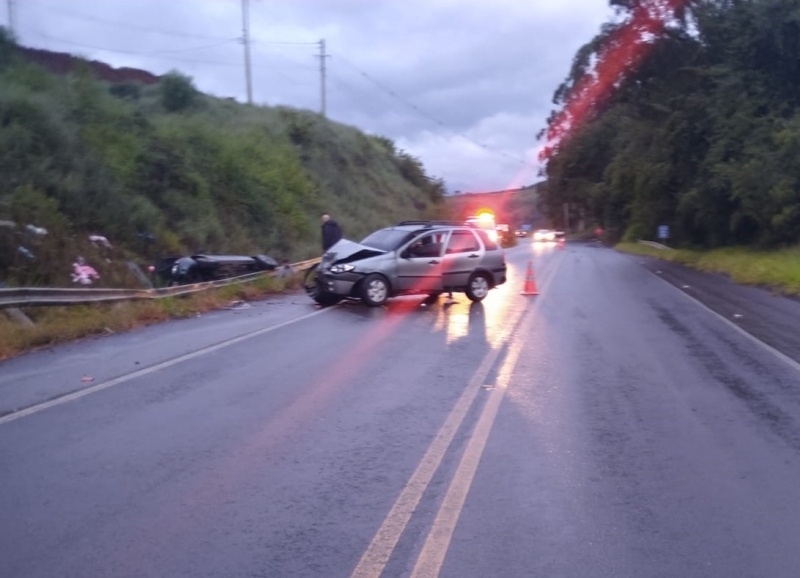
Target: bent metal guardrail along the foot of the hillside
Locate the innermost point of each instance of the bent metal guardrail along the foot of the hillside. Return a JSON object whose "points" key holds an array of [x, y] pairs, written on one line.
{"points": [[40, 296]]}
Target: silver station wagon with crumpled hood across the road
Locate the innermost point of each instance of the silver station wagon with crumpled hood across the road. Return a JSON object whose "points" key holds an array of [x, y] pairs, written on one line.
{"points": [[412, 258]]}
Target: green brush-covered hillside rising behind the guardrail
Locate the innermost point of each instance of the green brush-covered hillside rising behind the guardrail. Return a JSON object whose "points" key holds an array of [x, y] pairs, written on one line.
{"points": [[163, 169]]}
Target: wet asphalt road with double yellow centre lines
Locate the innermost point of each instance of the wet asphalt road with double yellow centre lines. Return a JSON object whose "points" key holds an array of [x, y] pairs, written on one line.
{"points": [[610, 426]]}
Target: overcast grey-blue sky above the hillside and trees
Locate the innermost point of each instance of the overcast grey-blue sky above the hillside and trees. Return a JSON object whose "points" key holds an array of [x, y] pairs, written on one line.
{"points": [[465, 86]]}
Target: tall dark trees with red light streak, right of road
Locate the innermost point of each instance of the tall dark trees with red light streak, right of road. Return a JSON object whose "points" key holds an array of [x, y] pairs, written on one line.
{"points": [[699, 128]]}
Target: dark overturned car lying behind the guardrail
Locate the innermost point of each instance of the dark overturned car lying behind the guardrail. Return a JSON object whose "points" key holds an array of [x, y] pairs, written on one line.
{"points": [[200, 268]]}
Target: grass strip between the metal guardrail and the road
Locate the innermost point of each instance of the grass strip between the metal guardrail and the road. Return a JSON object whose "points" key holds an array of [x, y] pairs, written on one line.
{"points": [[53, 325]]}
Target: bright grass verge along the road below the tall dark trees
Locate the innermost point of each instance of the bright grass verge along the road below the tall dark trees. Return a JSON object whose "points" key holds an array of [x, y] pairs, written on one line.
{"points": [[779, 269]]}
